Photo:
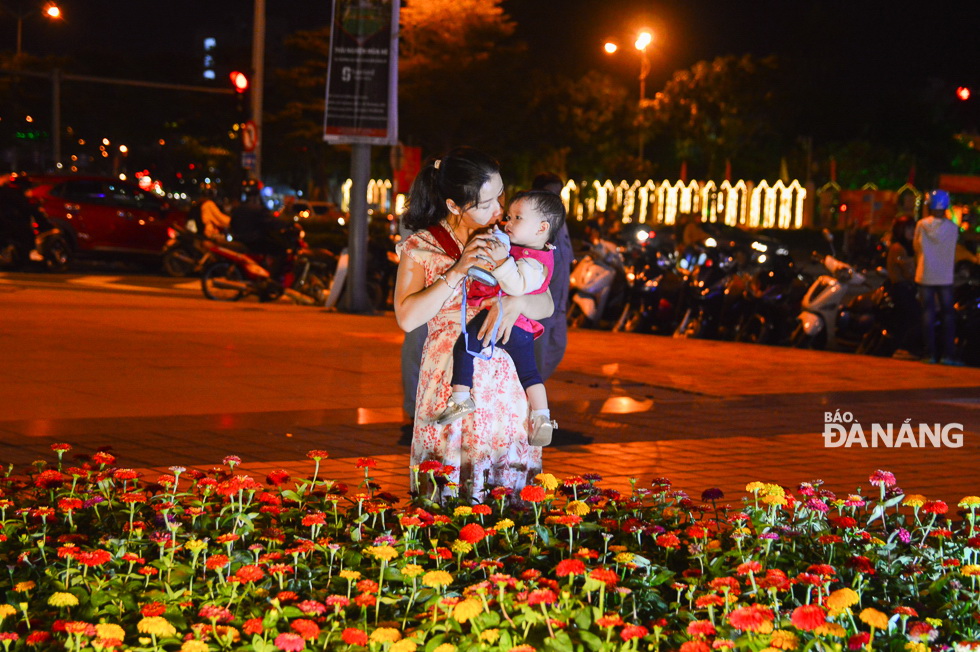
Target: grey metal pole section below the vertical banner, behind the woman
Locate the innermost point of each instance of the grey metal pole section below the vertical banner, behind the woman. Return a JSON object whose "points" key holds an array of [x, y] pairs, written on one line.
{"points": [[355, 296]]}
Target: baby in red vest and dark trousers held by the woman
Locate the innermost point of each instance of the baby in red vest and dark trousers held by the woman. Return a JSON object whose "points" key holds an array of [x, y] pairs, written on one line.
{"points": [[533, 219]]}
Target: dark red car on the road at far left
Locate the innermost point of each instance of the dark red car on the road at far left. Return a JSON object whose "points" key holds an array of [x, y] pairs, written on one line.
{"points": [[104, 217]]}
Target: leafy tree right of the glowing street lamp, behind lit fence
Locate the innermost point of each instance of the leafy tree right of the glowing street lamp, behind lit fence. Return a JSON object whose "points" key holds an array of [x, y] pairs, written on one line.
{"points": [[723, 109]]}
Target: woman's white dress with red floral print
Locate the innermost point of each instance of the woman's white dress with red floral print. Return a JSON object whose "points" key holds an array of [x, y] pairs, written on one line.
{"points": [[488, 447]]}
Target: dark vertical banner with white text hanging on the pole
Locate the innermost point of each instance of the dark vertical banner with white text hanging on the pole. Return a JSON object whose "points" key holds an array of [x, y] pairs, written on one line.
{"points": [[362, 74]]}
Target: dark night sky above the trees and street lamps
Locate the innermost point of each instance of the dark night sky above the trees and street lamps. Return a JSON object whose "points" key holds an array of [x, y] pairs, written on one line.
{"points": [[868, 49]]}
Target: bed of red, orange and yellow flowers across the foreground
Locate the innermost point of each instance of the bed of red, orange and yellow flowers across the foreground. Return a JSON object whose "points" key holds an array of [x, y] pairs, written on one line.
{"points": [[99, 559]]}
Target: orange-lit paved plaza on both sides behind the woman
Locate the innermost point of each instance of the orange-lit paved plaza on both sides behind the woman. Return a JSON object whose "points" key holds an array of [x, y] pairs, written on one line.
{"points": [[180, 381]]}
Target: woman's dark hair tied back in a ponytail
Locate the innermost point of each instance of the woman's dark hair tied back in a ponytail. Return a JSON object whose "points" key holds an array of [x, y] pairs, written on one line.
{"points": [[458, 175]]}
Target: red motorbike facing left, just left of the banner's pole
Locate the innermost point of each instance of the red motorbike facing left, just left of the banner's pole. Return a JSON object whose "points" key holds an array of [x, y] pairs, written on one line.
{"points": [[234, 274]]}
